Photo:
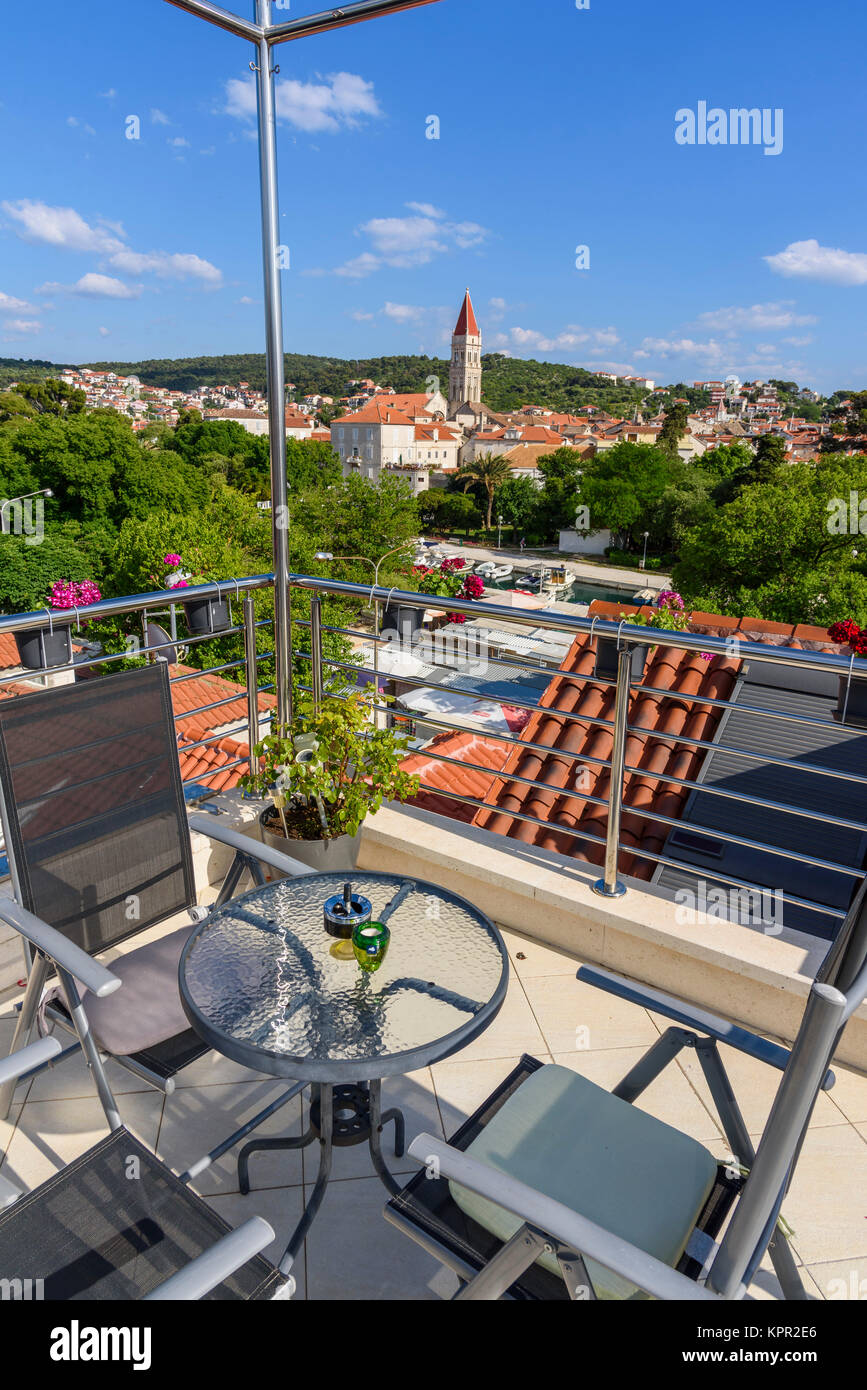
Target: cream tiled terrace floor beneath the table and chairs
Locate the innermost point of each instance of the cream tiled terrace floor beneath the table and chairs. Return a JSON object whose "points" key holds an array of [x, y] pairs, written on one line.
{"points": [[352, 1253]]}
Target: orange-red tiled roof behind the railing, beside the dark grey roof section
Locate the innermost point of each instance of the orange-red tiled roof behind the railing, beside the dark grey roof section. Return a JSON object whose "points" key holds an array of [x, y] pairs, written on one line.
{"points": [[563, 804]]}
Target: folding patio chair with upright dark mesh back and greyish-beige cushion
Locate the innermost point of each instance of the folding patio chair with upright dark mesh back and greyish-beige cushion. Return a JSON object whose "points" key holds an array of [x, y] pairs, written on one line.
{"points": [[99, 846]]}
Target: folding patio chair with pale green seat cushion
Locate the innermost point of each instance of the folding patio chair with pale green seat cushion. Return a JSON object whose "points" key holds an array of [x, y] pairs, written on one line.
{"points": [[558, 1189]]}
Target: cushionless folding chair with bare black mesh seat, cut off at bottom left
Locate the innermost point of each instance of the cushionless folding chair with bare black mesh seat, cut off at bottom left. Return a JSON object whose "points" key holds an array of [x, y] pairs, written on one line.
{"points": [[117, 1224]]}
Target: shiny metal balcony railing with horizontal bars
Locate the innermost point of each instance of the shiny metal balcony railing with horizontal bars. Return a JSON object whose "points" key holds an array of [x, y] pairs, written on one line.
{"points": [[326, 676]]}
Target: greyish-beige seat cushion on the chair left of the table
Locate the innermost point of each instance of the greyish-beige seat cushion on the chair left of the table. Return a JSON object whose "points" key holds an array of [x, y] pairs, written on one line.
{"points": [[147, 1010]]}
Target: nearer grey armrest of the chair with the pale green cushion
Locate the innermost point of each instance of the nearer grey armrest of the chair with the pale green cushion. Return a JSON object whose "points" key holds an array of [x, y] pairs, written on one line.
{"points": [[565, 1225]]}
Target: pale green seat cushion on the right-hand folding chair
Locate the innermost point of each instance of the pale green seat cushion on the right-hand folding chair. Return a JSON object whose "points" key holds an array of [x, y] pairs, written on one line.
{"points": [[606, 1160]]}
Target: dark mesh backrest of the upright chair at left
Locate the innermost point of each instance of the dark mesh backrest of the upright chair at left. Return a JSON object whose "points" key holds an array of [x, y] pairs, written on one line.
{"points": [[95, 806]]}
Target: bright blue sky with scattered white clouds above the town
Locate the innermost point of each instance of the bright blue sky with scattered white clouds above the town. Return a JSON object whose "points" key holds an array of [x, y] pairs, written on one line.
{"points": [[558, 130]]}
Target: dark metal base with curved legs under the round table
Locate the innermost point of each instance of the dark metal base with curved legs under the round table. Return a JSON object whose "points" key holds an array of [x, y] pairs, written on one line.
{"points": [[340, 1117]]}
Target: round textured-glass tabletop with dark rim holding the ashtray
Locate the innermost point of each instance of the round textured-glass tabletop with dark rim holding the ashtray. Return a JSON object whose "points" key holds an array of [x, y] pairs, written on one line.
{"points": [[259, 981]]}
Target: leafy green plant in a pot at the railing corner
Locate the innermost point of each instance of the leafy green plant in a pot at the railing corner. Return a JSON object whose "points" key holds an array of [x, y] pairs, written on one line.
{"points": [[324, 775]]}
